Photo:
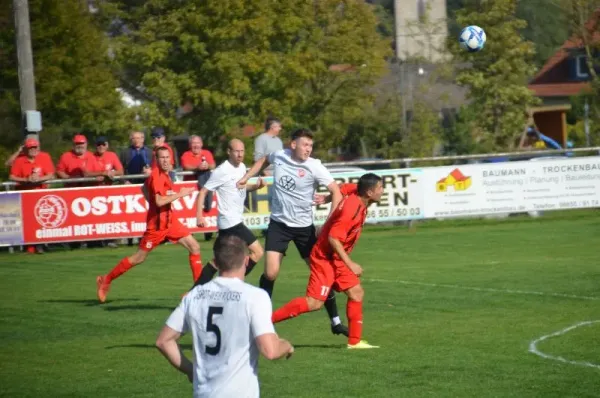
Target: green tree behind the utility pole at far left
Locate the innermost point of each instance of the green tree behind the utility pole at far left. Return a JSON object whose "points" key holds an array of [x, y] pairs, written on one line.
{"points": [[76, 90]]}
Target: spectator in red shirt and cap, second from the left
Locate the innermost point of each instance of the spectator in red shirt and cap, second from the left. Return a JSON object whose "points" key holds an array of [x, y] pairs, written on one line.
{"points": [[76, 162]]}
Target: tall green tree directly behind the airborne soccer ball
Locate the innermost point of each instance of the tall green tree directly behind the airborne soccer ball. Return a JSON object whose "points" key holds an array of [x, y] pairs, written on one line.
{"points": [[498, 74]]}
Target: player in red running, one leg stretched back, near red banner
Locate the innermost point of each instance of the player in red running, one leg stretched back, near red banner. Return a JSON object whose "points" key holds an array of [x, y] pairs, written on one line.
{"points": [[161, 225]]}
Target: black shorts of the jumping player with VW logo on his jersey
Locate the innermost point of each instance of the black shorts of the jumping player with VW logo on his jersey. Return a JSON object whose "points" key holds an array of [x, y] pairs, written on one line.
{"points": [[279, 236]]}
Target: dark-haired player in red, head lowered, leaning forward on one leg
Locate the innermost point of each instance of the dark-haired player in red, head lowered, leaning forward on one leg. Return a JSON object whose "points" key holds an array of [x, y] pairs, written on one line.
{"points": [[330, 262]]}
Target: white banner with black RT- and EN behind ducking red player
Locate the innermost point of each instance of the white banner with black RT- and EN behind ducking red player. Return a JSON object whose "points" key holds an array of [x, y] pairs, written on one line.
{"points": [[402, 198]]}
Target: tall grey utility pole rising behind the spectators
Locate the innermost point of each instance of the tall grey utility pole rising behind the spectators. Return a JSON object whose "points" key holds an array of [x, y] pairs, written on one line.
{"points": [[24, 57]]}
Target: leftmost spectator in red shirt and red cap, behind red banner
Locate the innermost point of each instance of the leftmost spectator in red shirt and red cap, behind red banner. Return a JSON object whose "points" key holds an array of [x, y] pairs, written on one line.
{"points": [[30, 171]]}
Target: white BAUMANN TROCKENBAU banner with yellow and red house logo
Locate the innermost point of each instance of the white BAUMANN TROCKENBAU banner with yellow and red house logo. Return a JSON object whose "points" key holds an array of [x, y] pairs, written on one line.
{"points": [[512, 187]]}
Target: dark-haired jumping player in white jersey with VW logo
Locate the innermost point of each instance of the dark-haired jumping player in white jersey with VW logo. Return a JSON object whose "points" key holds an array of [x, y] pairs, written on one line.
{"points": [[295, 177]]}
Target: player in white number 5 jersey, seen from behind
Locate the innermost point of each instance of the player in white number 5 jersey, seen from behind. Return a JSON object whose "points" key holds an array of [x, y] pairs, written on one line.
{"points": [[230, 323]]}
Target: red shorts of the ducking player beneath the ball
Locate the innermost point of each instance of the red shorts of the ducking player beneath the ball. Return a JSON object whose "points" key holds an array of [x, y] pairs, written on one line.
{"points": [[327, 274]]}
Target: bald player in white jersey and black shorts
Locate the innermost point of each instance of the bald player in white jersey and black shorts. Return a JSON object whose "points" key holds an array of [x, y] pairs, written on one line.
{"points": [[230, 205]]}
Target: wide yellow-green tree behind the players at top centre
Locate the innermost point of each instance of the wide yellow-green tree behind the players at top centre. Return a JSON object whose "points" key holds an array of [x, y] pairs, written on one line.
{"points": [[237, 61]]}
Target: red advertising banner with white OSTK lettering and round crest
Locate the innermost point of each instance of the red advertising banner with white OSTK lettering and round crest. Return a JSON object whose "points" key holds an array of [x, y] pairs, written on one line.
{"points": [[96, 213]]}
